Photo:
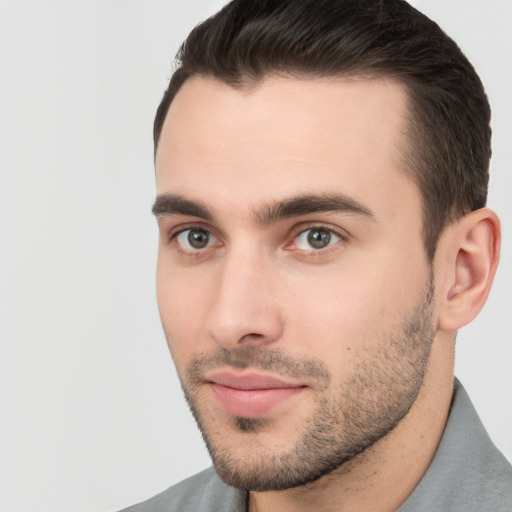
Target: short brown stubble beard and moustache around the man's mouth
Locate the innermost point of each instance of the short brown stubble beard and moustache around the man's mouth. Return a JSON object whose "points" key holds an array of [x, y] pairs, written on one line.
{"points": [[349, 417]]}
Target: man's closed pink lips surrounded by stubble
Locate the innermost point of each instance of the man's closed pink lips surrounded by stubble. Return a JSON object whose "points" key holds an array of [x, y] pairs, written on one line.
{"points": [[250, 394]]}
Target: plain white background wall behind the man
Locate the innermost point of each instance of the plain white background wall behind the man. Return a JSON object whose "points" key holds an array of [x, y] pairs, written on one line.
{"points": [[91, 412]]}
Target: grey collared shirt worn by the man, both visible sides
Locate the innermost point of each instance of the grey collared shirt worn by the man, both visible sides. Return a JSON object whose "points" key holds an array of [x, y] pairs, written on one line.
{"points": [[467, 474]]}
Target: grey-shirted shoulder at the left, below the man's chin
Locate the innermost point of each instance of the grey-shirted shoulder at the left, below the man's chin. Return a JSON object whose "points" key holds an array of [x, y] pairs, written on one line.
{"points": [[202, 492]]}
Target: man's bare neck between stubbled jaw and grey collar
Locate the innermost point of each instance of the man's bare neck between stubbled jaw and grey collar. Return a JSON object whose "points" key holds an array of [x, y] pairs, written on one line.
{"points": [[381, 478]]}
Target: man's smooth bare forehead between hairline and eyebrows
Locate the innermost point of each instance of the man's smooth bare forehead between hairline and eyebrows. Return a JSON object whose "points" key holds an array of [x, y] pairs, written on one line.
{"points": [[281, 137]]}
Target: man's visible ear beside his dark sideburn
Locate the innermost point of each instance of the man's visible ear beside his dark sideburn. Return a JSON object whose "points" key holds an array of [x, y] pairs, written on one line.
{"points": [[469, 252]]}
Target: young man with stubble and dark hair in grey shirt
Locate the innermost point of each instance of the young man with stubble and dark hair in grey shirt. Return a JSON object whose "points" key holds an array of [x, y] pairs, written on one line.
{"points": [[322, 169]]}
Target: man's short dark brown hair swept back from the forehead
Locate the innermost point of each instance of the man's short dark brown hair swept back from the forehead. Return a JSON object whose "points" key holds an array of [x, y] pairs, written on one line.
{"points": [[448, 131]]}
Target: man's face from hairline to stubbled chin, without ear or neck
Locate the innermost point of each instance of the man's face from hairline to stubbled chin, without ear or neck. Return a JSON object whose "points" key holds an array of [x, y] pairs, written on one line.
{"points": [[293, 286]]}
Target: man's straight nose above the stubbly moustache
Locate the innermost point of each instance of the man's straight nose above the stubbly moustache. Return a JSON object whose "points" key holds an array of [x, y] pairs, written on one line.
{"points": [[245, 310]]}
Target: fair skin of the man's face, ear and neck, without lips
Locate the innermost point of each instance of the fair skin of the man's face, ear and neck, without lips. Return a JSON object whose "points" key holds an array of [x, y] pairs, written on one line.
{"points": [[259, 287]]}
